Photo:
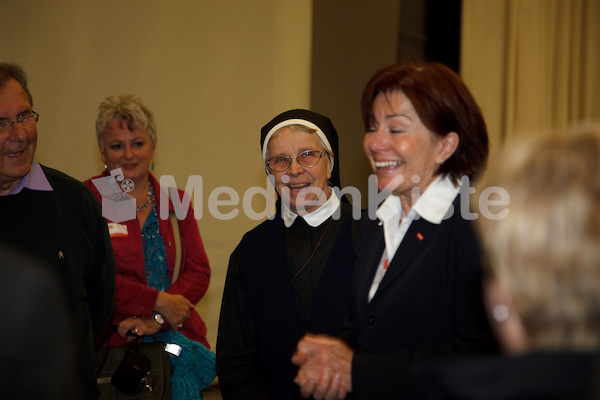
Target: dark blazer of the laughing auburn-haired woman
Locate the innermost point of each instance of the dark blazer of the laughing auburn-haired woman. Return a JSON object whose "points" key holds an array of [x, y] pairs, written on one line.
{"points": [[429, 304]]}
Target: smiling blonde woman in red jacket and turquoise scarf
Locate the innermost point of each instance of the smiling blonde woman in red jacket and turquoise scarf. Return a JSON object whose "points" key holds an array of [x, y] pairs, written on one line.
{"points": [[147, 302]]}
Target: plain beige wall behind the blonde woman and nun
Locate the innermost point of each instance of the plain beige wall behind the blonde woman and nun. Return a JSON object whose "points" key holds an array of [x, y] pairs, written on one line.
{"points": [[213, 72]]}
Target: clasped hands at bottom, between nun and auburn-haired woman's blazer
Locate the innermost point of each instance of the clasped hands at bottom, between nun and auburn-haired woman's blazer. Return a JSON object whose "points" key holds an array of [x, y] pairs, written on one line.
{"points": [[325, 367]]}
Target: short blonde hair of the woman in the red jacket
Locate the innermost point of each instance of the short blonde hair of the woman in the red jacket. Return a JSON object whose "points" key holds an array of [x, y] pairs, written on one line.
{"points": [[125, 107]]}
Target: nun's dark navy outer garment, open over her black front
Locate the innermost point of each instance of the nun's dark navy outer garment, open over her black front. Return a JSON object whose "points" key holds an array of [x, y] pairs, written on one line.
{"points": [[259, 324]]}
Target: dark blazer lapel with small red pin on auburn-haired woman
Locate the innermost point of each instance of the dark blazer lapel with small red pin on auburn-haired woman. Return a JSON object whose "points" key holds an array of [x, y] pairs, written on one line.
{"points": [[417, 238]]}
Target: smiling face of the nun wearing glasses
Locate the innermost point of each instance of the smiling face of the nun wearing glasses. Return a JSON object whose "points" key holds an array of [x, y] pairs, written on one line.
{"points": [[303, 188]]}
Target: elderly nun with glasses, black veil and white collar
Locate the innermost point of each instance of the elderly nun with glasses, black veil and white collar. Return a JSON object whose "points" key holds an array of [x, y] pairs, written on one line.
{"points": [[291, 274]]}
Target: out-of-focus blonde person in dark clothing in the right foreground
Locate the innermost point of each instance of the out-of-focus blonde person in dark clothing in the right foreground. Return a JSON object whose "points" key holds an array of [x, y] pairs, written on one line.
{"points": [[543, 287]]}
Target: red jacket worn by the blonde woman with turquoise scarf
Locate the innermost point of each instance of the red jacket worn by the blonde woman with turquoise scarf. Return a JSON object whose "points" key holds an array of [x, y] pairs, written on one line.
{"points": [[133, 296]]}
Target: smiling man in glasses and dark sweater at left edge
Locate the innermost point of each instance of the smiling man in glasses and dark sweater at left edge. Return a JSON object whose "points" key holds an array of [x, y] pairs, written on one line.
{"points": [[57, 219]]}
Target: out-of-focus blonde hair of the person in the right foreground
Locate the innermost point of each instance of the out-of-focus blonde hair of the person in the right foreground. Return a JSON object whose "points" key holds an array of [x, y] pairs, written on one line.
{"points": [[546, 252]]}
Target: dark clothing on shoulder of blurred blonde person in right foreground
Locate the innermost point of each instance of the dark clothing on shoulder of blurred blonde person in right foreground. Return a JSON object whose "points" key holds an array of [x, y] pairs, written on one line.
{"points": [[564, 375]]}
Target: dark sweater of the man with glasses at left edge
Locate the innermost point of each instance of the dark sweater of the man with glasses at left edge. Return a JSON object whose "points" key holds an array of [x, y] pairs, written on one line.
{"points": [[66, 230]]}
